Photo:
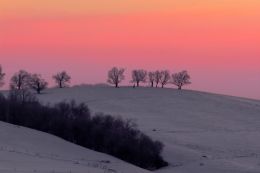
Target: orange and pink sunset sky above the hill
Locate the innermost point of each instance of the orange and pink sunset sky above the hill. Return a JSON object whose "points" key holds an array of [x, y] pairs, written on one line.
{"points": [[217, 41]]}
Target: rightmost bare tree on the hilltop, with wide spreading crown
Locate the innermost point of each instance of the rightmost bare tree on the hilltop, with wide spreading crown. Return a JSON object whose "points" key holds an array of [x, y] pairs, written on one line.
{"points": [[180, 79]]}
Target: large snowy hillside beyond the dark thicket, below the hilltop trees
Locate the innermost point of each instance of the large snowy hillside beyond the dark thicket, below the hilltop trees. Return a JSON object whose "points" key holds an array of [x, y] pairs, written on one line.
{"points": [[202, 132]]}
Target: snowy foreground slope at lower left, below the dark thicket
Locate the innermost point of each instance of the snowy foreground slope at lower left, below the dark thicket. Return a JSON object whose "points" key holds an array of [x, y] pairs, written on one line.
{"points": [[25, 150]]}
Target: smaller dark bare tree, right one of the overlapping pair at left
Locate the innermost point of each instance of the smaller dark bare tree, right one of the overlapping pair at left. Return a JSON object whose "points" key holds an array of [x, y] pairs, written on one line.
{"points": [[37, 83]]}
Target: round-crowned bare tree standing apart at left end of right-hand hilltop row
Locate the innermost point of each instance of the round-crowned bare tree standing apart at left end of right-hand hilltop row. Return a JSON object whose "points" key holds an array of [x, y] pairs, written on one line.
{"points": [[116, 76]]}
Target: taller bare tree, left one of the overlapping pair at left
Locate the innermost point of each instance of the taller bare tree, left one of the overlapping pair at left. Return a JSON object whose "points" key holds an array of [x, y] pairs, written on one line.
{"points": [[20, 80]]}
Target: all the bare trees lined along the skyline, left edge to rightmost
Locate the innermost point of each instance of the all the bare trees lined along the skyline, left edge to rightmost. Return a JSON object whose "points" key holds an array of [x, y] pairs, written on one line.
{"points": [[23, 80]]}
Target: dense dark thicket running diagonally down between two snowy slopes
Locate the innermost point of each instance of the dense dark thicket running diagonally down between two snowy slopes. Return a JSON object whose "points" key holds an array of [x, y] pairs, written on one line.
{"points": [[74, 122]]}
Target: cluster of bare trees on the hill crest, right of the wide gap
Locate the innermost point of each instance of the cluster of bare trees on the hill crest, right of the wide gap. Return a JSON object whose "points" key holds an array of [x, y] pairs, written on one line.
{"points": [[154, 78]]}
